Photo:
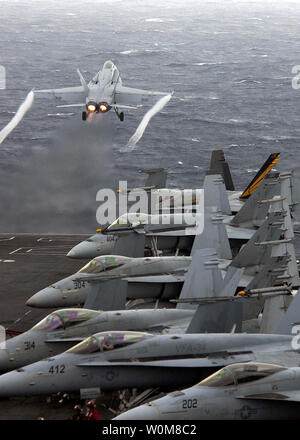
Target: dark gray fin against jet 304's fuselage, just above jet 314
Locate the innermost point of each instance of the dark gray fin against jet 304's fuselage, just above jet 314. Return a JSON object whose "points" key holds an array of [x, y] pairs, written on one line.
{"points": [[107, 295]]}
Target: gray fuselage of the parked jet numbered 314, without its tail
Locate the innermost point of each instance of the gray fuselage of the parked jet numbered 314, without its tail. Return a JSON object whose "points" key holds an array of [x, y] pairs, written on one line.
{"points": [[54, 335]]}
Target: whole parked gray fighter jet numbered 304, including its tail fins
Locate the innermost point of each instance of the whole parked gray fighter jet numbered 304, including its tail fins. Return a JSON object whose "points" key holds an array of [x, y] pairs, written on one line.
{"points": [[254, 257]]}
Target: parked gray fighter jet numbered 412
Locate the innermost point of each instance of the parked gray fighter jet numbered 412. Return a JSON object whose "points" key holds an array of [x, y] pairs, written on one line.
{"points": [[121, 359]]}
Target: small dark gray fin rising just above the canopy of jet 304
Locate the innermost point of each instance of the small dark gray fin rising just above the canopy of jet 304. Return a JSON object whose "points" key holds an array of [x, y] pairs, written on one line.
{"points": [[130, 244]]}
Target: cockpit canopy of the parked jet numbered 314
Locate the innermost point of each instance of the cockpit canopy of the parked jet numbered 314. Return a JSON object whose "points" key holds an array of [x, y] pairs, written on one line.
{"points": [[65, 318]]}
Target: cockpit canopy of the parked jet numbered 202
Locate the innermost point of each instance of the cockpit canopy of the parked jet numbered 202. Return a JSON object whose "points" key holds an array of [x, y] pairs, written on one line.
{"points": [[237, 374]]}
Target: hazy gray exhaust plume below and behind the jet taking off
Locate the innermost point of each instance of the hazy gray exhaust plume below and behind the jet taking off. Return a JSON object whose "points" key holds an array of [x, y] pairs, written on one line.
{"points": [[54, 190]]}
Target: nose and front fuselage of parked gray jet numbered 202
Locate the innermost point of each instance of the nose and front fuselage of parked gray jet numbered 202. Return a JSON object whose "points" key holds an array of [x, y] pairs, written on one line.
{"points": [[244, 391]]}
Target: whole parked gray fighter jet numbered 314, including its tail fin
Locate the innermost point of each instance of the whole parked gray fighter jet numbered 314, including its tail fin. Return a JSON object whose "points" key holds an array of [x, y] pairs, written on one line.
{"points": [[62, 329]]}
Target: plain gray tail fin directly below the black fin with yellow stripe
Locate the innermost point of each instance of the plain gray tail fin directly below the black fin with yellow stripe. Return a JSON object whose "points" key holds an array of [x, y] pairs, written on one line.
{"points": [[255, 209]]}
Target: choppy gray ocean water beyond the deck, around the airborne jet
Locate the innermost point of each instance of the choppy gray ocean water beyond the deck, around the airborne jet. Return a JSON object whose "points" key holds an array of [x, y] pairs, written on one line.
{"points": [[228, 62]]}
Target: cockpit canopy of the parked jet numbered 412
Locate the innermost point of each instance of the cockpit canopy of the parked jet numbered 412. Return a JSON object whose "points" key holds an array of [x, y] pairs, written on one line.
{"points": [[108, 341]]}
